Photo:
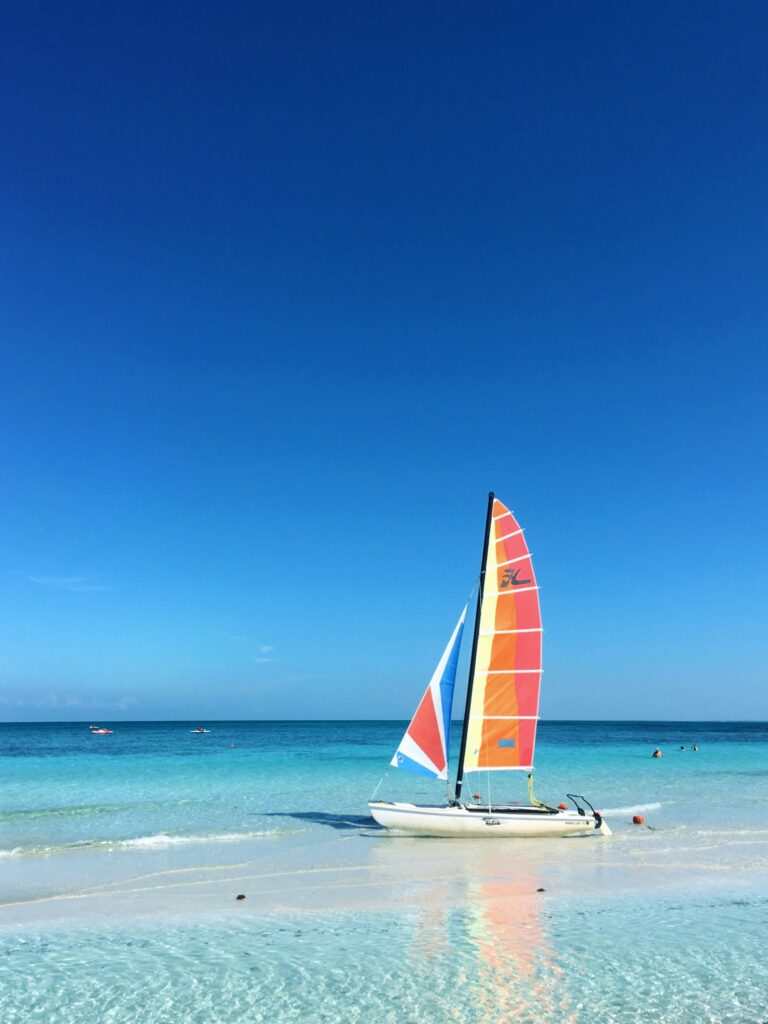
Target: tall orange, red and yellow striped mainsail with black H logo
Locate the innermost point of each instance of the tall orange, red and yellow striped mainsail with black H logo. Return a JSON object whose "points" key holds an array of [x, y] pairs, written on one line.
{"points": [[504, 704]]}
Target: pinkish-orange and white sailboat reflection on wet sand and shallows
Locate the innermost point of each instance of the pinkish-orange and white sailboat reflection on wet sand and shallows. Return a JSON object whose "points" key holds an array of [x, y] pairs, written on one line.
{"points": [[480, 933]]}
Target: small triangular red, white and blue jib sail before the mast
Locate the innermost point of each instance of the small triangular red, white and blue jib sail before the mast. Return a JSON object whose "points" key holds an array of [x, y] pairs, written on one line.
{"points": [[424, 749]]}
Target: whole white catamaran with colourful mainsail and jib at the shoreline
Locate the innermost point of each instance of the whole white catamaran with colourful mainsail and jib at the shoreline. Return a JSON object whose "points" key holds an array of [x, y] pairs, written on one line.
{"points": [[501, 712]]}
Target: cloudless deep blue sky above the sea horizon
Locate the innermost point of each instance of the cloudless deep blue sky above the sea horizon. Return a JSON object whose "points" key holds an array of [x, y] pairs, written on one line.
{"points": [[287, 289]]}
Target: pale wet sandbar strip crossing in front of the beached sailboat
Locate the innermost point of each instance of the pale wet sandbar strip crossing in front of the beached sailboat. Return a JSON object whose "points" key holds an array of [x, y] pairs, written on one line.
{"points": [[331, 870]]}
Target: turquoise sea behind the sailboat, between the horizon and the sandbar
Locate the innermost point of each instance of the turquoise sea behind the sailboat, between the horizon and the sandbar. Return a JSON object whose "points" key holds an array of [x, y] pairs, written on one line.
{"points": [[158, 783]]}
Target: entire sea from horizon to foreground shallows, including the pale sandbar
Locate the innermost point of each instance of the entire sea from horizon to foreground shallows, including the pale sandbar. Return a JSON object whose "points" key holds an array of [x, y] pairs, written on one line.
{"points": [[121, 858]]}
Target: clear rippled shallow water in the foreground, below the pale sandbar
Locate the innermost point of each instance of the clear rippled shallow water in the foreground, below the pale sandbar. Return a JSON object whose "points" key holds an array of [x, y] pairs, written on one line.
{"points": [[505, 956]]}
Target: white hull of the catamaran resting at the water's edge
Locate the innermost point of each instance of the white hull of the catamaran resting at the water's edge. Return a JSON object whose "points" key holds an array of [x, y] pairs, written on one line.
{"points": [[506, 823]]}
